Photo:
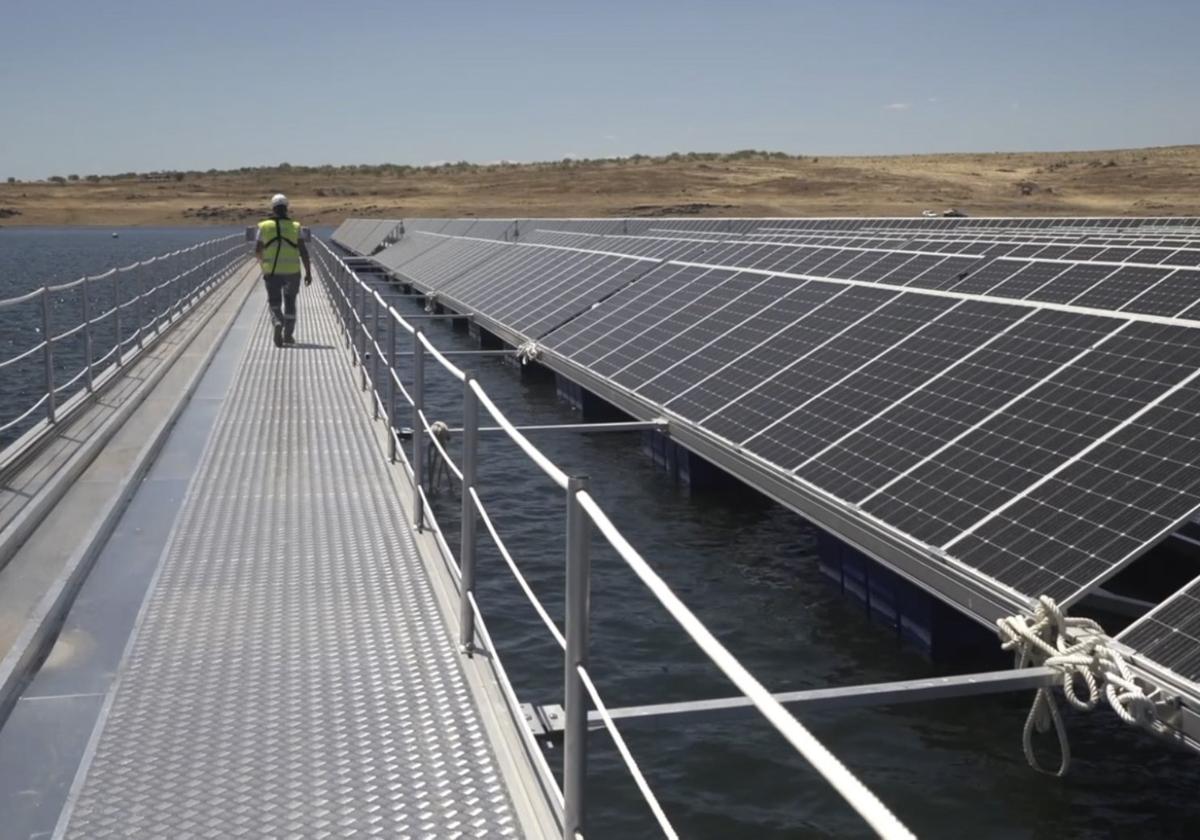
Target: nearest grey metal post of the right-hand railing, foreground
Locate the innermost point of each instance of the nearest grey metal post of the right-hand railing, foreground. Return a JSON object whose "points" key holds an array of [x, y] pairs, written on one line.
{"points": [[579, 595]]}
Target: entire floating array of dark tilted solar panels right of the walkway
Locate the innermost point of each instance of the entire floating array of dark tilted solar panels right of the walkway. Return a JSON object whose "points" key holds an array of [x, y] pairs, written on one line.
{"points": [[1017, 400]]}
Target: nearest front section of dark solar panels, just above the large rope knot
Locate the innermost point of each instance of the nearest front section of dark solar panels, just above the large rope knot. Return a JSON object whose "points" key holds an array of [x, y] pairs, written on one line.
{"points": [[974, 427]]}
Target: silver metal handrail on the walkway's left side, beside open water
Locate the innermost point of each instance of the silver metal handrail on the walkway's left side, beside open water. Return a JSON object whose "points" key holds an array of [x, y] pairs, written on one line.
{"points": [[181, 279]]}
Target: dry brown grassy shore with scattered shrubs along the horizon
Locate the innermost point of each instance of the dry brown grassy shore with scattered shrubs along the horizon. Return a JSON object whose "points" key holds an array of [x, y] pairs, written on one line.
{"points": [[1162, 182]]}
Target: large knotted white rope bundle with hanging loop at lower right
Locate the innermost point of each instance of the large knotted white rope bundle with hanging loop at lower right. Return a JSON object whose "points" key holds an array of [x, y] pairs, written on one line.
{"points": [[1085, 656]]}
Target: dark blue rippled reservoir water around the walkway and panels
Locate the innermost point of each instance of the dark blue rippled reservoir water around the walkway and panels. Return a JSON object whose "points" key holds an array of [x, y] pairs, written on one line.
{"points": [[747, 567]]}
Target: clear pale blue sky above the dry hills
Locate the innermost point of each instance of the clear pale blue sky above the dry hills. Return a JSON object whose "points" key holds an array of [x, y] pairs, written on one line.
{"points": [[92, 88]]}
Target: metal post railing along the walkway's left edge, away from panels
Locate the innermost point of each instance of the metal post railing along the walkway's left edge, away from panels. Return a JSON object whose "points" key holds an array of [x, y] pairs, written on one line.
{"points": [[112, 316]]}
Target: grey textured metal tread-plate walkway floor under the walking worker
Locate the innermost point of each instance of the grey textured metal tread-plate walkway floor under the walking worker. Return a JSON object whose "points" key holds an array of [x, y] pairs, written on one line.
{"points": [[291, 673]]}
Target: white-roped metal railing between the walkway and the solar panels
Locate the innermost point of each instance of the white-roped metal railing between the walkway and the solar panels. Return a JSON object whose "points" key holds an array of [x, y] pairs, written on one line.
{"points": [[370, 327]]}
